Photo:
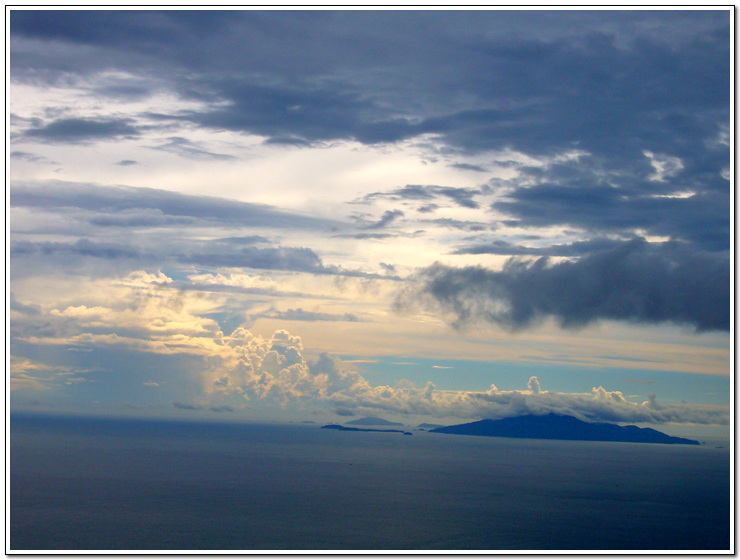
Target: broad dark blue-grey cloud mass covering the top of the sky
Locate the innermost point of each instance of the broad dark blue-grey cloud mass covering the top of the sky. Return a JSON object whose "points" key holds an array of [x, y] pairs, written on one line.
{"points": [[612, 83]]}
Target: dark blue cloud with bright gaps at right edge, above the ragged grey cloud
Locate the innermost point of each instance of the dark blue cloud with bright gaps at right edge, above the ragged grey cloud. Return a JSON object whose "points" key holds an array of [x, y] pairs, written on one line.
{"points": [[579, 195]]}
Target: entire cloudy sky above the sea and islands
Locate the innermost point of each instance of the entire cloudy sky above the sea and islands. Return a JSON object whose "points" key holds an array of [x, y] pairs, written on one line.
{"points": [[421, 215]]}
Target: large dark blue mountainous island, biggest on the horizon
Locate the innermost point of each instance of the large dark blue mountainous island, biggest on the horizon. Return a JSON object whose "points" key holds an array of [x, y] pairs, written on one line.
{"points": [[555, 426]]}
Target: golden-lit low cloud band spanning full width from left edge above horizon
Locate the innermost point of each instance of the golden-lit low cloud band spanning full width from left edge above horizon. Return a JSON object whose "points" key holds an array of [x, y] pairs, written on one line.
{"points": [[148, 320]]}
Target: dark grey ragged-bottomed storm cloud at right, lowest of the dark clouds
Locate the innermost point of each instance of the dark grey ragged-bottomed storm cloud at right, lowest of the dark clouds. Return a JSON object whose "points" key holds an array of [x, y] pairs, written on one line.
{"points": [[635, 282]]}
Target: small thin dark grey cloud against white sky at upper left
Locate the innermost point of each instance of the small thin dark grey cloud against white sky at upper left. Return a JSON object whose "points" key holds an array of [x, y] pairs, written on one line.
{"points": [[75, 130]]}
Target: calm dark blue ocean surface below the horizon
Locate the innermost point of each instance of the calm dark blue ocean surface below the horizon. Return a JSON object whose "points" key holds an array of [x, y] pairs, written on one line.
{"points": [[82, 484]]}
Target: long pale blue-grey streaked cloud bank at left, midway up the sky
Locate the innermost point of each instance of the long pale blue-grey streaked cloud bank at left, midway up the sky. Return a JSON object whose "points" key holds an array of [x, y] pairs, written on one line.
{"points": [[134, 227]]}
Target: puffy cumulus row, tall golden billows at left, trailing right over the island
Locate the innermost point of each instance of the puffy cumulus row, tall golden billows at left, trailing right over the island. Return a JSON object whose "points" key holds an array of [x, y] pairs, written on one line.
{"points": [[275, 369]]}
